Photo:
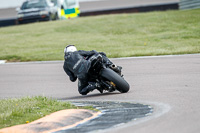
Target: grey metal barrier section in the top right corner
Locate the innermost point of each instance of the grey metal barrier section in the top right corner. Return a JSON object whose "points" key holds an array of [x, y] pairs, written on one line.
{"points": [[189, 4]]}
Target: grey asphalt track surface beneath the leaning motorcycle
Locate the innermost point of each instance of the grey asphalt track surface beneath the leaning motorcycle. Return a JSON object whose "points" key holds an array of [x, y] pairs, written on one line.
{"points": [[171, 84]]}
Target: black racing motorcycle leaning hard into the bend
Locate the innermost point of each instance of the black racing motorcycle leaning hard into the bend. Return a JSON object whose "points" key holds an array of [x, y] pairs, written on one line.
{"points": [[108, 78]]}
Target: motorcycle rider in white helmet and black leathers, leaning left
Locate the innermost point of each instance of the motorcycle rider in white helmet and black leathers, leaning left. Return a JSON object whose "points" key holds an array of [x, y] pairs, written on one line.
{"points": [[76, 66]]}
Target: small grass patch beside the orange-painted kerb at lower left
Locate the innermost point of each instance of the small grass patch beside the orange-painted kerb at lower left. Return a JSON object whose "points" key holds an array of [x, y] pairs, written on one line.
{"points": [[23, 110]]}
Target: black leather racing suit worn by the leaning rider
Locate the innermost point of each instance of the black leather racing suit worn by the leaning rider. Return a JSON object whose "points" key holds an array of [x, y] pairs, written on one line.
{"points": [[76, 66]]}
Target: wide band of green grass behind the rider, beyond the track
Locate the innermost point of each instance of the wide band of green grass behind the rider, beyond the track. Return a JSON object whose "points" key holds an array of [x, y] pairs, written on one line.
{"points": [[122, 35]]}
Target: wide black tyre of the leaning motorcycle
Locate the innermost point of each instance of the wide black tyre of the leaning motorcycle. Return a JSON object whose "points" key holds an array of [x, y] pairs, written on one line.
{"points": [[120, 83]]}
